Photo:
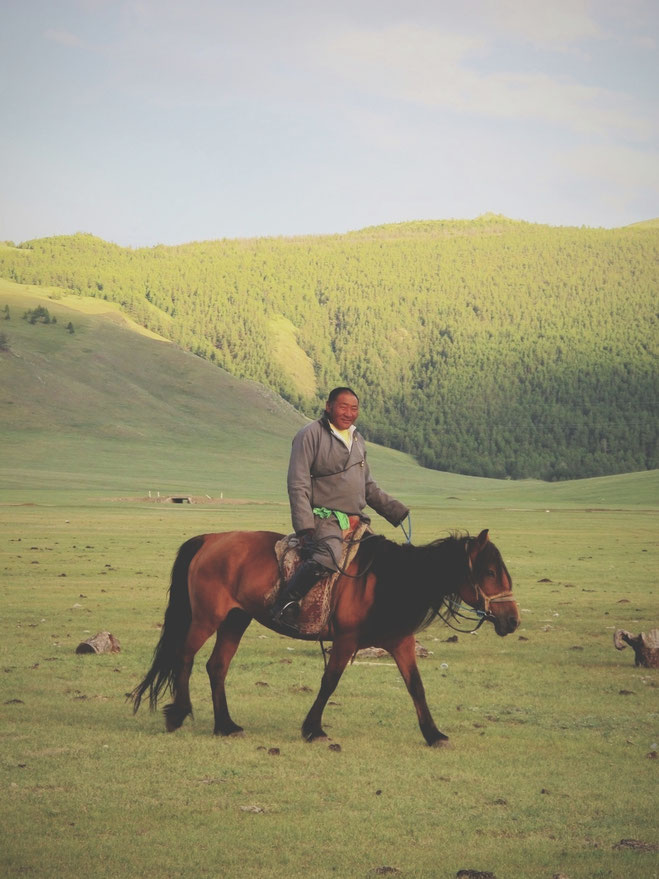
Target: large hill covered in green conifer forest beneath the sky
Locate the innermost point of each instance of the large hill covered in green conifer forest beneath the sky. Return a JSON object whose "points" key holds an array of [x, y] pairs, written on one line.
{"points": [[489, 347]]}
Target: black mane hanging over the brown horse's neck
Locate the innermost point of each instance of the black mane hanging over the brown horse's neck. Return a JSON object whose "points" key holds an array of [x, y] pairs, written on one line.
{"points": [[414, 584]]}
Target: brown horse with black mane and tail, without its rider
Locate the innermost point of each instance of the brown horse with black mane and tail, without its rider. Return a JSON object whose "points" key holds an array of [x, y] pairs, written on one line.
{"points": [[390, 591]]}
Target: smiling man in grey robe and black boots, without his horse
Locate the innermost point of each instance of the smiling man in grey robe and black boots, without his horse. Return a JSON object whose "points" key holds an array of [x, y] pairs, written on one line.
{"points": [[328, 481]]}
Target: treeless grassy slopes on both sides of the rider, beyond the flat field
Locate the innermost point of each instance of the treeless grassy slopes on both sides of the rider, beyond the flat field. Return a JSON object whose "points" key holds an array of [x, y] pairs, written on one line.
{"points": [[112, 411]]}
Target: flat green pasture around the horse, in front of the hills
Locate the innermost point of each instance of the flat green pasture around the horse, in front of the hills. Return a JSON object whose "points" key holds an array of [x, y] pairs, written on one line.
{"points": [[552, 734]]}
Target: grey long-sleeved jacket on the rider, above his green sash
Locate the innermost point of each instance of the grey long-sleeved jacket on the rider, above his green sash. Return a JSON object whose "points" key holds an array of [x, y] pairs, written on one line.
{"points": [[323, 473]]}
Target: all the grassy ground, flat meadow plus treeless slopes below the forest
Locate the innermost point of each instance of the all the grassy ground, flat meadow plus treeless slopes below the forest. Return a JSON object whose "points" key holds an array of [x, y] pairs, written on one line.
{"points": [[554, 732]]}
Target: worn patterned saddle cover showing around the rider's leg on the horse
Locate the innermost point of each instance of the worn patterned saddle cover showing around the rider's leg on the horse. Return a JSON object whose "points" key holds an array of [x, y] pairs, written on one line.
{"points": [[317, 604]]}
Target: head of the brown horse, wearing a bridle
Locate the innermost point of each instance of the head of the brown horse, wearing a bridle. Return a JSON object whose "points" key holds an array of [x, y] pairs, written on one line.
{"points": [[489, 587]]}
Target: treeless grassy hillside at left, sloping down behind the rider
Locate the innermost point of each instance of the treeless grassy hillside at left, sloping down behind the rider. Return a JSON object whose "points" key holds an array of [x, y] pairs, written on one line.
{"points": [[108, 407]]}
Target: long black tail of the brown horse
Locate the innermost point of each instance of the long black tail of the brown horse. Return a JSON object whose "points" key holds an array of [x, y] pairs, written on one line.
{"points": [[166, 656]]}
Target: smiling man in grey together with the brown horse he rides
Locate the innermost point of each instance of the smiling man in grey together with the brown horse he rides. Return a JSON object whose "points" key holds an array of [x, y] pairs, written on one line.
{"points": [[221, 582]]}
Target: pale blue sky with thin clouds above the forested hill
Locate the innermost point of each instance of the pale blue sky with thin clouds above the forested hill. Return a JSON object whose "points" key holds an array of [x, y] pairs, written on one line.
{"points": [[169, 121]]}
